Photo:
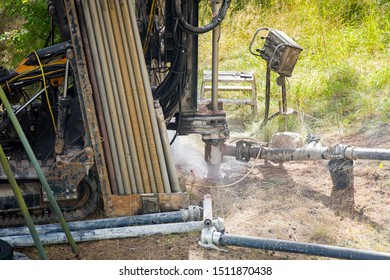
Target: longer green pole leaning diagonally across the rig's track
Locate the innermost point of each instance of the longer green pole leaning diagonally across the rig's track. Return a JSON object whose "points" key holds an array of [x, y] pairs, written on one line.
{"points": [[39, 171]]}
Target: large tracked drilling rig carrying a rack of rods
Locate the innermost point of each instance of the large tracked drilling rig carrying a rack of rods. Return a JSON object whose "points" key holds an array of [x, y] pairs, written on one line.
{"points": [[95, 108]]}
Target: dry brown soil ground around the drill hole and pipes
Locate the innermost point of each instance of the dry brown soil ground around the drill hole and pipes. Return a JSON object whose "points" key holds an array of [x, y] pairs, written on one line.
{"points": [[291, 202]]}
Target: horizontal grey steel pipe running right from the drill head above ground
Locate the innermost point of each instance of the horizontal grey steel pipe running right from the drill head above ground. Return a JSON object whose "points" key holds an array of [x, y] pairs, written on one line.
{"points": [[311, 153]]}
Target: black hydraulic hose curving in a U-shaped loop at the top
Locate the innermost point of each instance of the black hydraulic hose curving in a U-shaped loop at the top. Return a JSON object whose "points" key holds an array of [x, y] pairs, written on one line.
{"points": [[202, 29]]}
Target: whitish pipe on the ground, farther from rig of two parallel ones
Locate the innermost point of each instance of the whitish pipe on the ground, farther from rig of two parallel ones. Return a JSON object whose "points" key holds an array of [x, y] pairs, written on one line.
{"points": [[108, 233]]}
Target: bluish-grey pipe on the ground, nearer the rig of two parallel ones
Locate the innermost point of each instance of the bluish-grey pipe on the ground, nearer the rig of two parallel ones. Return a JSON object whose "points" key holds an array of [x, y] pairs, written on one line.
{"points": [[187, 215]]}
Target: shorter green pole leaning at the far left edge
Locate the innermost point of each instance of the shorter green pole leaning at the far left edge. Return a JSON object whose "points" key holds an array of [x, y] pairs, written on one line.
{"points": [[22, 205]]}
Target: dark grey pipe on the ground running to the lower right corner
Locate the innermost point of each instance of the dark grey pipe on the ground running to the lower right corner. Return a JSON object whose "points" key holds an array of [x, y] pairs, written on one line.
{"points": [[300, 248]]}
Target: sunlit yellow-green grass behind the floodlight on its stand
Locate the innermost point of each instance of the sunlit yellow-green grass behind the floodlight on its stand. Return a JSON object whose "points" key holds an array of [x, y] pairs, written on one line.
{"points": [[342, 76]]}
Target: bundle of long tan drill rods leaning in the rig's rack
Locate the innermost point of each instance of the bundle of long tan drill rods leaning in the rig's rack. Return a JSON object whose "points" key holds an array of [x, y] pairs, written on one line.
{"points": [[138, 156]]}
